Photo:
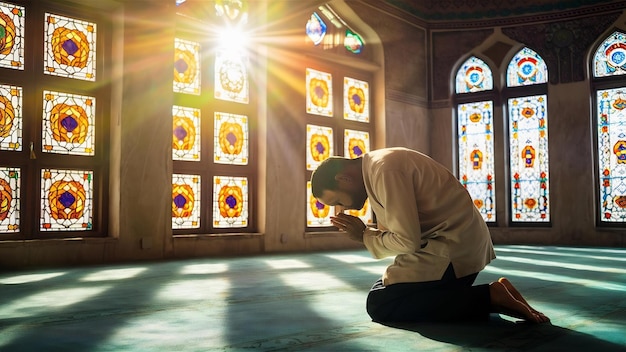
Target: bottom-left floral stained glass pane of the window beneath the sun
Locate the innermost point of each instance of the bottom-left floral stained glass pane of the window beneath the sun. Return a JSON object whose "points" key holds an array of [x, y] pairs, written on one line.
{"points": [[185, 201]]}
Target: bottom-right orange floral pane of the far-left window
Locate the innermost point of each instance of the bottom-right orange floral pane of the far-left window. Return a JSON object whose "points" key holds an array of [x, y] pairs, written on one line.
{"points": [[66, 200]]}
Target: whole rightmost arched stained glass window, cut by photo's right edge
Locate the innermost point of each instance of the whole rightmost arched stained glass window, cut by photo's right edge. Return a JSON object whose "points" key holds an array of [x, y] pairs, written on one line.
{"points": [[608, 67]]}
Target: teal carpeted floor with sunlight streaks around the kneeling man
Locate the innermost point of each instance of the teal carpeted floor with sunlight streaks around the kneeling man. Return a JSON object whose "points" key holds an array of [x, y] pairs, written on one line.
{"points": [[302, 302]]}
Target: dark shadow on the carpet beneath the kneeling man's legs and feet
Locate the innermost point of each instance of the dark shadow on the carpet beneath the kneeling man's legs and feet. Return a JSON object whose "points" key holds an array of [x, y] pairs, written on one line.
{"points": [[502, 334]]}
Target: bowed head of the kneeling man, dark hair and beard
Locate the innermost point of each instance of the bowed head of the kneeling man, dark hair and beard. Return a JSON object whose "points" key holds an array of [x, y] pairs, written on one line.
{"points": [[338, 181]]}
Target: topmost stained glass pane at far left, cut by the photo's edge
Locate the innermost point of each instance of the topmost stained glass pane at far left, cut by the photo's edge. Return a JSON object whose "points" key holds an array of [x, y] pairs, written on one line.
{"points": [[11, 36]]}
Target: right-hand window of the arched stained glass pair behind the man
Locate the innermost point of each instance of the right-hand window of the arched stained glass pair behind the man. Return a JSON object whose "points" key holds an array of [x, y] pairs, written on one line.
{"points": [[528, 138]]}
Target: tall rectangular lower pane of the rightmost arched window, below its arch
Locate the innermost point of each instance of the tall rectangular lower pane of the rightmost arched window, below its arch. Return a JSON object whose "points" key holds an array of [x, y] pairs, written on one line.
{"points": [[612, 153]]}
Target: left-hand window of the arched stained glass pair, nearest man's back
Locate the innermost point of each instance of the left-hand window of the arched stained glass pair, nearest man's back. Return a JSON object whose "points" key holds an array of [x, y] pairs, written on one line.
{"points": [[474, 100]]}
